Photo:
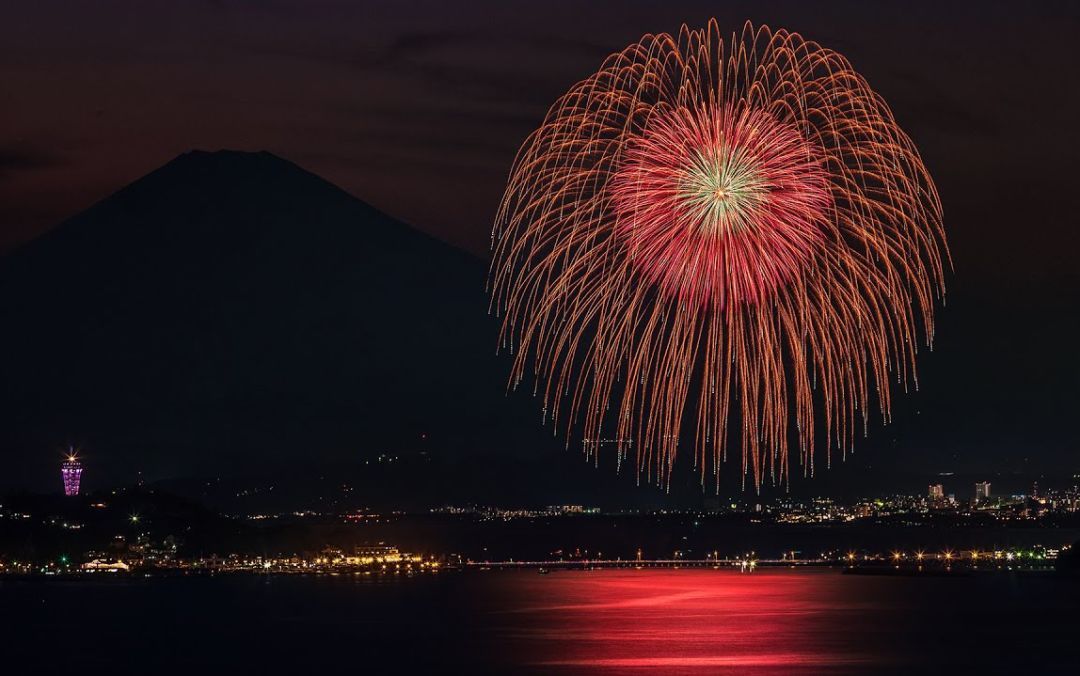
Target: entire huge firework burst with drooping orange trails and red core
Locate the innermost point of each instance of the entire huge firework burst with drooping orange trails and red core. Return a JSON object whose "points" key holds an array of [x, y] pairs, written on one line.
{"points": [[712, 241]]}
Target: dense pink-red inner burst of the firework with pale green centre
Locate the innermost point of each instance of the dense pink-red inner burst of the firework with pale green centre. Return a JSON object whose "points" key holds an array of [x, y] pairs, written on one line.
{"points": [[720, 206]]}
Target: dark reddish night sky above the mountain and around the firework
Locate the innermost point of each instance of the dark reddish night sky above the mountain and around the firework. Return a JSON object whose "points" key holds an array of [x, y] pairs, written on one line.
{"points": [[420, 107]]}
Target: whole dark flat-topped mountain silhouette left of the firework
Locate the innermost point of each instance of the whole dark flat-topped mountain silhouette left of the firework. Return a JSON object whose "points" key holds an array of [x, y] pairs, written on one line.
{"points": [[232, 313]]}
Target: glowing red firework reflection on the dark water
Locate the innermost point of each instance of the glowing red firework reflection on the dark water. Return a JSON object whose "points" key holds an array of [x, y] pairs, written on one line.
{"points": [[686, 621]]}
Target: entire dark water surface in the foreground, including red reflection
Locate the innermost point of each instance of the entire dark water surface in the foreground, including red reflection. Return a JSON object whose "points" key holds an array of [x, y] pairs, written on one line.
{"points": [[773, 621]]}
